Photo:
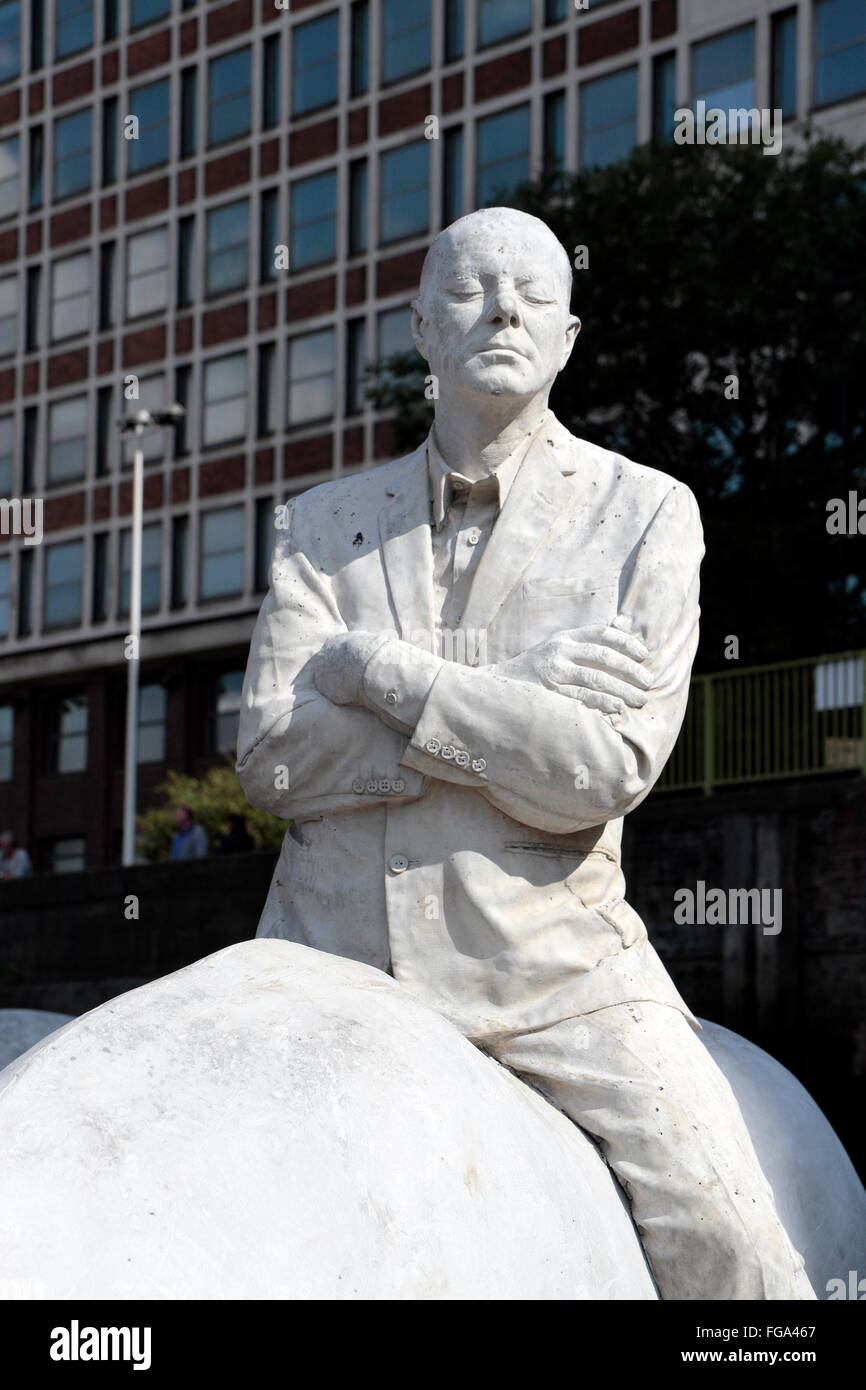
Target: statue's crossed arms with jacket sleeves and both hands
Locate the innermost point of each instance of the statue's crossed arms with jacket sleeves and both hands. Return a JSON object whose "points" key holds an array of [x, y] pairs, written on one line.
{"points": [[562, 737]]}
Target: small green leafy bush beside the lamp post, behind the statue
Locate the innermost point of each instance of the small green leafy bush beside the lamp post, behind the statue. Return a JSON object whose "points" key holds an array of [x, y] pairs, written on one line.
{"points": [[212, 800]]}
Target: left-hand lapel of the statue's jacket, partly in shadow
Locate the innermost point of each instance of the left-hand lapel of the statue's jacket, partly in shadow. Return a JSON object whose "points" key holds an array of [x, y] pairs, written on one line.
{"points": [[408, 548]]}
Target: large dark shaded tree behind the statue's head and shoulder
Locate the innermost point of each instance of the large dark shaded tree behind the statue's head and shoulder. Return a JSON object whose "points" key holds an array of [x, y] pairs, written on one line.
{"points": [[725, 343]]}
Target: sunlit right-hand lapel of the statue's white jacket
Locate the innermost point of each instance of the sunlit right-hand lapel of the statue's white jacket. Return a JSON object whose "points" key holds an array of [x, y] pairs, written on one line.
{"points": [[537, 498]]}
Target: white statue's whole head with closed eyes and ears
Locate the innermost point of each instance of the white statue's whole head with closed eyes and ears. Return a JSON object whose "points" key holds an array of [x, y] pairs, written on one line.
{"points": [[493, 316]]}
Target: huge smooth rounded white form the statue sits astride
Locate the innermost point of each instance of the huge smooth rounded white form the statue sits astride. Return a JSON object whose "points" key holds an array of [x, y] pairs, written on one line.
{"points": [[273, 1122]]}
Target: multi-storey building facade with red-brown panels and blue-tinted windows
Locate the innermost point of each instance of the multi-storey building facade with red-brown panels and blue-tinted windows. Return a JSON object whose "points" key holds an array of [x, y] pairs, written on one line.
{"points": [[229, 206]]}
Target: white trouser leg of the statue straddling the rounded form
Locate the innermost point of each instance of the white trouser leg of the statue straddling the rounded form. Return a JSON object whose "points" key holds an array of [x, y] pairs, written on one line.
{"points": [[640, 1081]]}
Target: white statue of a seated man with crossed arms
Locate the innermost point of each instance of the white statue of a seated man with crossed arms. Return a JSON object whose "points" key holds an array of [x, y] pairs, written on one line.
{"points": [[471, 665]]}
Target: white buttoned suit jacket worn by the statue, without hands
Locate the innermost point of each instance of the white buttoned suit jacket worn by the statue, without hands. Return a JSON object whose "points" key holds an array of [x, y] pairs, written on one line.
{"points": [[479, 857]]}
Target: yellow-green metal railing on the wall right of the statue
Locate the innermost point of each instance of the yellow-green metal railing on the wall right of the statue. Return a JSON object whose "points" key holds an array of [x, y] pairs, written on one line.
{"points": [[793, 719]]}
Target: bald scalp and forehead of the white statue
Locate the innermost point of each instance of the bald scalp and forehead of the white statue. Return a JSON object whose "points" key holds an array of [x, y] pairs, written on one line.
{"points": [[504, 233]]}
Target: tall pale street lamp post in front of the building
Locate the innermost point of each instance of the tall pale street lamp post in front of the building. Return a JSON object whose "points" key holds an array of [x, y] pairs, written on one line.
{"points": [[136, 423]]}
